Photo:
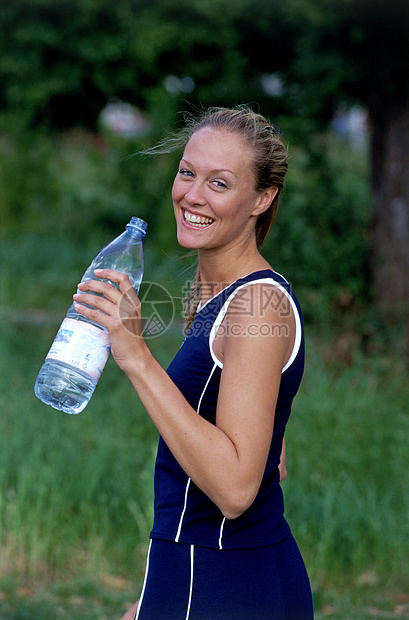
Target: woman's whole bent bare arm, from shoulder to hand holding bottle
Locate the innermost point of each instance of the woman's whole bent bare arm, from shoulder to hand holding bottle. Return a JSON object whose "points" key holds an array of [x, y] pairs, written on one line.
{"points": [[226, 460]]}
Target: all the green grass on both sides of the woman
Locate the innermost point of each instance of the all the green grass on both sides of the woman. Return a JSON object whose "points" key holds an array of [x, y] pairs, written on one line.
{"points": [[76, 495]]}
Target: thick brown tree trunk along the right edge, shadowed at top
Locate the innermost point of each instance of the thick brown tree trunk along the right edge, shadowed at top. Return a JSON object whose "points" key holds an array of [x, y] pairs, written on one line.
{"points": [[382, 44]]}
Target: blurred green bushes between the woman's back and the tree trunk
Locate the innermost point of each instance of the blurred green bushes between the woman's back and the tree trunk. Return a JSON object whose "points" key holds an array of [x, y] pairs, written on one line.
{"points": [[320, 238]]}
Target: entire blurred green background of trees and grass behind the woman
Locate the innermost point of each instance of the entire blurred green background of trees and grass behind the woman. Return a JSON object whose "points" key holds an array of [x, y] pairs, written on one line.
{"points": [[85, 86]]}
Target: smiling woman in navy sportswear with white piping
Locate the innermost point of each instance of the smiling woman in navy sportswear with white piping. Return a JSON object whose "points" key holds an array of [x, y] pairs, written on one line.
{"points": [[220, 547]]}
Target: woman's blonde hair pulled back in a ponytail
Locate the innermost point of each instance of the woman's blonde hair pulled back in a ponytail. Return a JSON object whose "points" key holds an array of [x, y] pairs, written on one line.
{"points": [[269, 166]]}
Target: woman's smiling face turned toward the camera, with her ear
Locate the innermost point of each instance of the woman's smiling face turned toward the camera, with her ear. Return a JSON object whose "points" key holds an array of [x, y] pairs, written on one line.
{"points": [[214, 196]]}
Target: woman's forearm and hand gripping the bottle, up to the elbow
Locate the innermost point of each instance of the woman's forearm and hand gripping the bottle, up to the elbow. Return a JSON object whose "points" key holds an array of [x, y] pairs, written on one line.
{"points": [[206, 453]]}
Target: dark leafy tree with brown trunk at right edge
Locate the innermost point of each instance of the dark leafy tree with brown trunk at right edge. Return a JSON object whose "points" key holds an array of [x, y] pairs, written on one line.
{"points": [[355, 51]]}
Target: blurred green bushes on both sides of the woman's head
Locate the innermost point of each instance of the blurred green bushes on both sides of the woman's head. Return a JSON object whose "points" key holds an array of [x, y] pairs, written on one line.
{"points": [[76, 192]]}
